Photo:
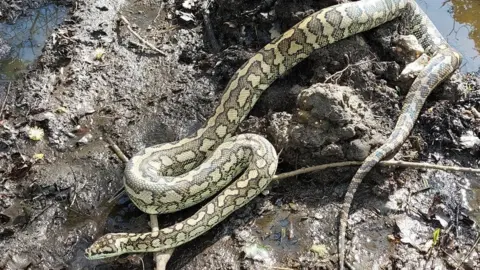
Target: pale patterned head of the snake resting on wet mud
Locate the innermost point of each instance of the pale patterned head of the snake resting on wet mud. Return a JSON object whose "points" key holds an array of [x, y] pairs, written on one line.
{"points": [[106, 246]]}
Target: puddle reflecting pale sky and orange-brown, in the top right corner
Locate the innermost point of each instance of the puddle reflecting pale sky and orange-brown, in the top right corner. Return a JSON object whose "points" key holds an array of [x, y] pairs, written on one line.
{"points": [[459, 23]]}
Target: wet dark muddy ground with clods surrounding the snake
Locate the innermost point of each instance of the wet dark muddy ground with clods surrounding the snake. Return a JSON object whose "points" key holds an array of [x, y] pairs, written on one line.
{"points": [[96, 80]]}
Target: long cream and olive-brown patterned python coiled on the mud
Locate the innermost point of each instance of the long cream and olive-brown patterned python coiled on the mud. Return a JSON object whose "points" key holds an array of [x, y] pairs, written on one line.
{"points": [[173, 176]]}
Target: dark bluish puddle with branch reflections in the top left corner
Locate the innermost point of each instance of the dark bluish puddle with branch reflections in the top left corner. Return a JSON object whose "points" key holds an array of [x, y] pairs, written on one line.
{"points": [[26, 37]]}
